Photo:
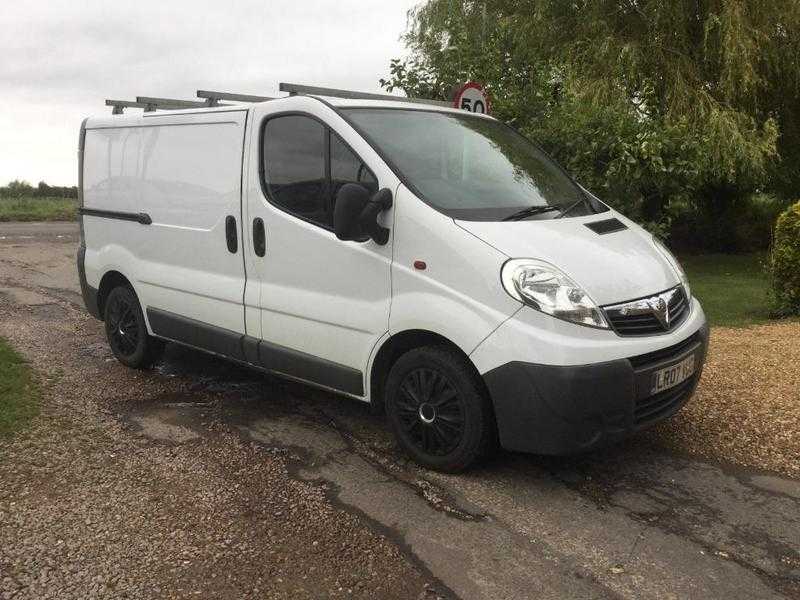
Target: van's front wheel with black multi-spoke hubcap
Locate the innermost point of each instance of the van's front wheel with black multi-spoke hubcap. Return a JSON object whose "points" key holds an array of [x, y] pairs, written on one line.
{"points": [[438, 409]]}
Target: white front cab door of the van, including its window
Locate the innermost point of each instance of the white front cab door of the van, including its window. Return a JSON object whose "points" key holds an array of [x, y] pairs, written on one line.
{"points": [[322, 304]]}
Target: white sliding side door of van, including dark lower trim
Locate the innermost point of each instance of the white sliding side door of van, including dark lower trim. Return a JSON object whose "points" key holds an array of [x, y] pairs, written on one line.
{"points": [[191, 273]]}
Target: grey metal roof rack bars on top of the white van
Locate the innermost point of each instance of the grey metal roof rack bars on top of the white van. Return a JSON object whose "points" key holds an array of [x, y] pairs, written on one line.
{"points": [[211, 98]]}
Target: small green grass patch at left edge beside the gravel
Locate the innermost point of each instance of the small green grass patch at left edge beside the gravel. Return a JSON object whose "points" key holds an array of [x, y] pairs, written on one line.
{"points": [[19, 394]]}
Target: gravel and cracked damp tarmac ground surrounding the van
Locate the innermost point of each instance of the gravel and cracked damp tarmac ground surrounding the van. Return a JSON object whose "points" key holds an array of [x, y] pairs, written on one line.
{"points": [[199, 479]]}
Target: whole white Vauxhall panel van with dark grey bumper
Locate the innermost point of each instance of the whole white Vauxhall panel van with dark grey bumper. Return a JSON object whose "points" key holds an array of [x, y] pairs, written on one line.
{"points": [[427, 260]]}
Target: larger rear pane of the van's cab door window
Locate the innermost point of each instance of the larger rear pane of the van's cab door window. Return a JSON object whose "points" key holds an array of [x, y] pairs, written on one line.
{"points": [[294, 166]]}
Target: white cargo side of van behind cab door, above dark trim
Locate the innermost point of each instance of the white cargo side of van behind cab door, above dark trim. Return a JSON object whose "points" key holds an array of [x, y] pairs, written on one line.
{"points": [[184, 170]]}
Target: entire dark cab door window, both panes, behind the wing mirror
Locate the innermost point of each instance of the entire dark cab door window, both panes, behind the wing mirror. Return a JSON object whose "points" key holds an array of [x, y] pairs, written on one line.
{"points": [[305, 165]]}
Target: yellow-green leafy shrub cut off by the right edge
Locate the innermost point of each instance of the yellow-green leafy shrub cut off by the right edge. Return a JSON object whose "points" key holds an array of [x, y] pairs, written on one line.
{"points": [[785, 263]]}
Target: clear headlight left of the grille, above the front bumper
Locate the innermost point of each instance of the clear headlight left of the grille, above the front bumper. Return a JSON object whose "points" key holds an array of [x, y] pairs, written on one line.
{"points": [[546, 288]]}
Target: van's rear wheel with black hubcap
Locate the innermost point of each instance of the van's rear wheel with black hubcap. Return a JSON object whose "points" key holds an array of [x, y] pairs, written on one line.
{"points": [[126, 330]]}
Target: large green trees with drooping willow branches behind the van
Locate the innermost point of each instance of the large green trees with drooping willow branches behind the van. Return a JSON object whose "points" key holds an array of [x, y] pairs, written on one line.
{"points": [[658, 107]]}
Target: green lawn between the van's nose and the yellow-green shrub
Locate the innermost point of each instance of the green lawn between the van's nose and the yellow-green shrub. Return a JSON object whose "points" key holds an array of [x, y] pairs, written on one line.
{"points": [[731, 287]]}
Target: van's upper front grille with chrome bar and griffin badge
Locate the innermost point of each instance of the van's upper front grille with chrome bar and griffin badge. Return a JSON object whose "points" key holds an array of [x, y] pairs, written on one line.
{"points": [[638, 318]]}
